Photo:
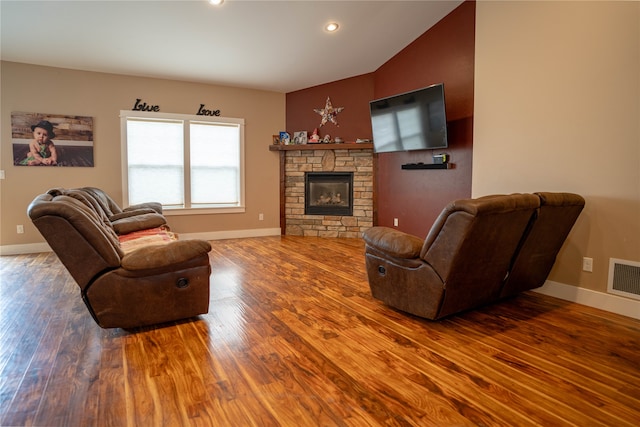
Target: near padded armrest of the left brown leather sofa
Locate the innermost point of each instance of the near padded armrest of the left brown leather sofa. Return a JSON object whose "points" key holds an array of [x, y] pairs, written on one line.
{"points": [[160, 256]]}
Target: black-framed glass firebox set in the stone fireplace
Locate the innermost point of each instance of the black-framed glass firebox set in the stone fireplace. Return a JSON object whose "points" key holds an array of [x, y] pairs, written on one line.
{"points": [[328, 193]]}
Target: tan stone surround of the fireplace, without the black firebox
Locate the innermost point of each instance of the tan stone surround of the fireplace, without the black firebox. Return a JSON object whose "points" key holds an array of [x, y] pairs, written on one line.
{"points": [[358, 161]]}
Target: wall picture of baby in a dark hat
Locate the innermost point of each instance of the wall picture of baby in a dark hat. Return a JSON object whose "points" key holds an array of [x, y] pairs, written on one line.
{"points": [[40, 139]]}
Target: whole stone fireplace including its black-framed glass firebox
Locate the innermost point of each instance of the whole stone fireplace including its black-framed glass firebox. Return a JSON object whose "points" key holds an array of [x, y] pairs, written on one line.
{"points": [[297, 165]]}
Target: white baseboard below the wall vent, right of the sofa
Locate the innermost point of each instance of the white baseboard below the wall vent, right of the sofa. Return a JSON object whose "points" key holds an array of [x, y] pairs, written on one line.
{"points": [[603, 301]]}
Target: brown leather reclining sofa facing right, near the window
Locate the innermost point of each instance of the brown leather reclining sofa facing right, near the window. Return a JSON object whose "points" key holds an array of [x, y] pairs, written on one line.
{"points": [[126, 281]]}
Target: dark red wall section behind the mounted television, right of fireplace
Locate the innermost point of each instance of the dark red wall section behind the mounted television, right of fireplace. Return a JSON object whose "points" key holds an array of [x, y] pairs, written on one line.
{"points": [[445, 53]]}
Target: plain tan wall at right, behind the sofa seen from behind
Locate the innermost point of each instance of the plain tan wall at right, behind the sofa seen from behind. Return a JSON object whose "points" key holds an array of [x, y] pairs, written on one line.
{"points": [[557, 108]]}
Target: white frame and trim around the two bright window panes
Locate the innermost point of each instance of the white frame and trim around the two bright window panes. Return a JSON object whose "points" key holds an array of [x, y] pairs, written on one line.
{"points": [[186, 119]]}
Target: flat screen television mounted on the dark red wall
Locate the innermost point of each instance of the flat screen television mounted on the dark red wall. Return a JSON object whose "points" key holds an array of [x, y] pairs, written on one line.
{"points": [[410, 121]]}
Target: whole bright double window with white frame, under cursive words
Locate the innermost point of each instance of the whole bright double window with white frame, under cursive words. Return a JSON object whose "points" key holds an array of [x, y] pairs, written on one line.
{"points": [[184, 162]]}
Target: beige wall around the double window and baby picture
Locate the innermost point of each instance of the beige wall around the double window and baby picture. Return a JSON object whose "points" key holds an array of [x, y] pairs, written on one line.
{"points": [[59, 91]]}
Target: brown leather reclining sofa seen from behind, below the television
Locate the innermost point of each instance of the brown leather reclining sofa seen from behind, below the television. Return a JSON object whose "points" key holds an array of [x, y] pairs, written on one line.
{"points": [[477, 252]]}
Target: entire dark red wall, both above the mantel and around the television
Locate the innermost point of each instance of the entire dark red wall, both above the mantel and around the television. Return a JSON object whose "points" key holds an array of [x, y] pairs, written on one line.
{"points": [[444, 53]]}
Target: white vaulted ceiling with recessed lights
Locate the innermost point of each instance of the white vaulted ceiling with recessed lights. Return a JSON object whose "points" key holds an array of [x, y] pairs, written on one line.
{"points": [[270, 45]]}
